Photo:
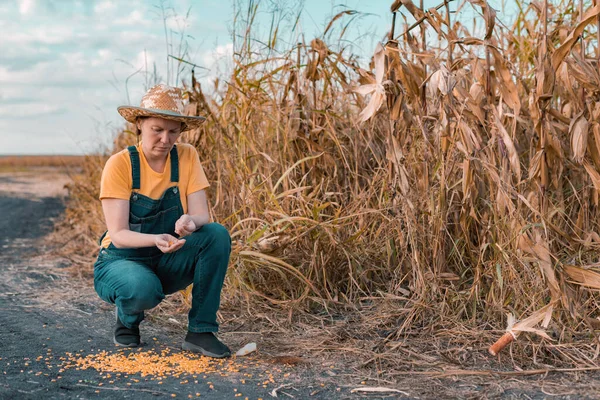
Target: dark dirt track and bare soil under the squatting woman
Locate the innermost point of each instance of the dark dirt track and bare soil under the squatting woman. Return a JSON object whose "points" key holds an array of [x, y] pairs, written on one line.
{"points": [[48, 318]]}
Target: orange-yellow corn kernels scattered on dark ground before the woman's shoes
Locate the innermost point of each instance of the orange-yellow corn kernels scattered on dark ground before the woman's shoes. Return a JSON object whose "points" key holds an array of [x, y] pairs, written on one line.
{"points": [[161, 365]]}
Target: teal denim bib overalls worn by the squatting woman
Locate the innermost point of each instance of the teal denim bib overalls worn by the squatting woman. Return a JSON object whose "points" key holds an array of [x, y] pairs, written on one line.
{"points": [[138, 279]]}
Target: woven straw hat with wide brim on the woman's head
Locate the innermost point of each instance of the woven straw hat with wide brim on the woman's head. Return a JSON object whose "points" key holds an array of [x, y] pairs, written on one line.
{"points": [[161, 101]]}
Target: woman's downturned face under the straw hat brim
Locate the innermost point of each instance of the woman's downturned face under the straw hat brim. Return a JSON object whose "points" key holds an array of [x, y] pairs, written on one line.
{"points": [[158, 136]]}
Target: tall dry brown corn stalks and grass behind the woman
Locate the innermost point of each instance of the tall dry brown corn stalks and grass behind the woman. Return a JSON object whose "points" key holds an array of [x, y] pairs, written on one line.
{"points": [[458, 176]]}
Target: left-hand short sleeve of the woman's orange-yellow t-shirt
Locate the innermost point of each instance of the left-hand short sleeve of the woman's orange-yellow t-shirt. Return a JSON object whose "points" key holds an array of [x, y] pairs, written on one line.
{"points": [[116, 178]]}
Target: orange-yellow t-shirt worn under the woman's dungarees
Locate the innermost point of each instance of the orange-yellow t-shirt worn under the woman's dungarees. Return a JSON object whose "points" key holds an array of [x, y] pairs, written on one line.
{"points": [[116, 179]]}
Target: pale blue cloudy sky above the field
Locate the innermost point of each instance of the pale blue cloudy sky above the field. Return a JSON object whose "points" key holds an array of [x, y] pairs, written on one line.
{"points": [[66, 65]]}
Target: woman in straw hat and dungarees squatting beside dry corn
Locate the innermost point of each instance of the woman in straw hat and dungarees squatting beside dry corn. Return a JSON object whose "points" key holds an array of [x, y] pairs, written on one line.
{"points": [[159, 239]]}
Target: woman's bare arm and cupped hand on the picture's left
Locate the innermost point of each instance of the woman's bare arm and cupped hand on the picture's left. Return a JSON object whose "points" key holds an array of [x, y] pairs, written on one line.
{"points": [[116, 213]]}
